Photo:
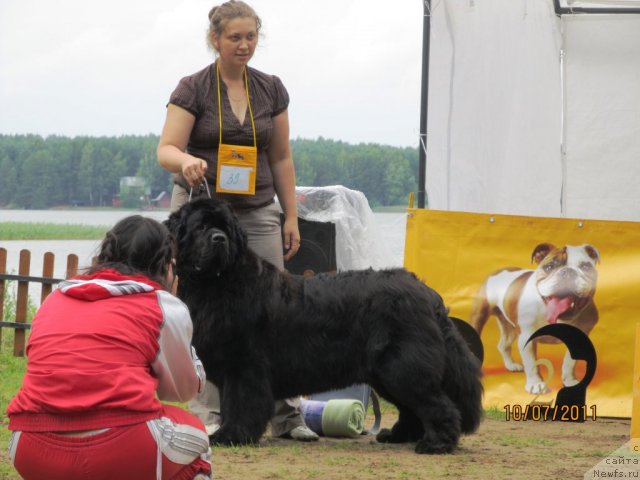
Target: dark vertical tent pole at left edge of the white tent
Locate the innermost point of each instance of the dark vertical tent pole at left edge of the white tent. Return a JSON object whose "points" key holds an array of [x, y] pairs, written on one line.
{"points": [[424, 100]]}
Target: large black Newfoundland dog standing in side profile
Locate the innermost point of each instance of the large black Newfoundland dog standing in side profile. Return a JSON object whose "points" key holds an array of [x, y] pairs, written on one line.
{"points": [[264, 335]]}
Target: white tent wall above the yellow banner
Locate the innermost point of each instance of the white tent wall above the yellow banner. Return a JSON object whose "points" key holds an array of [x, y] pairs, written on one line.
{"points": [[534, 108]]}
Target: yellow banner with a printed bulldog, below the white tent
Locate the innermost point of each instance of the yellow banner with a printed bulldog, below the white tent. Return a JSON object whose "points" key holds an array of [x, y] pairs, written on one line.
{"points": [[508, 276]]}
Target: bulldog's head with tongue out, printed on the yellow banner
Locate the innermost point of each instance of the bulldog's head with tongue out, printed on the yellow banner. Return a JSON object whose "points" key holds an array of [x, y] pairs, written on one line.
{"points": [[566, 278]]}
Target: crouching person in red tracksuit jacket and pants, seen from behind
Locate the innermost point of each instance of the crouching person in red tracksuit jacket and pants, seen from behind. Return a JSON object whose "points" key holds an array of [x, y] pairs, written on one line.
{"points": [[104, 349]]}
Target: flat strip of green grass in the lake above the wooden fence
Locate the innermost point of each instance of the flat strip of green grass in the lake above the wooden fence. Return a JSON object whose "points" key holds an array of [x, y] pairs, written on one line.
{"points": [[50, 231]]}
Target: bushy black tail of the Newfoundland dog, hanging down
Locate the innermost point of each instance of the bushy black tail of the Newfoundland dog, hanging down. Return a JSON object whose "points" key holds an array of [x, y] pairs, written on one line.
{"points": [[463, 374]]}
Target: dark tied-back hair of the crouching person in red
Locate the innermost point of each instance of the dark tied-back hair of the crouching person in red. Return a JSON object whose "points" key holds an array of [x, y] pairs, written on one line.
{"points": [[137, 245]]}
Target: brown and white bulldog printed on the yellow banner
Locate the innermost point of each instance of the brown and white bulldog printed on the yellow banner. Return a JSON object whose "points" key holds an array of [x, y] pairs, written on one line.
{"points": [[559, 290]]}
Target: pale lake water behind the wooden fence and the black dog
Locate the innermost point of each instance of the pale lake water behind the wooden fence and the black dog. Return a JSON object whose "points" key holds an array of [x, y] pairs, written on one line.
{"points": [[388, 245]]}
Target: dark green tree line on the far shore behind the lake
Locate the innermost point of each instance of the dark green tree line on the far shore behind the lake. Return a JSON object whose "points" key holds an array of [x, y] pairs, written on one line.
{"points": [[56, 171]]}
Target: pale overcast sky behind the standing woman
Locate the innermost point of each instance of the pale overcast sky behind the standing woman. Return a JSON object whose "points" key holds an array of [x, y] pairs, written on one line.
{"points": [[80, 67]]}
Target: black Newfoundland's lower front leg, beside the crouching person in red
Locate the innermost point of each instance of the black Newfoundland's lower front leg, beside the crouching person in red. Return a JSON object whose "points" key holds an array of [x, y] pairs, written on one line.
{"points": [[246, 407]]}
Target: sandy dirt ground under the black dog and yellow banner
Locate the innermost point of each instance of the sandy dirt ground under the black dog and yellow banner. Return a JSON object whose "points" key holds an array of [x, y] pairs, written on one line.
{"points": [[499, 450]]}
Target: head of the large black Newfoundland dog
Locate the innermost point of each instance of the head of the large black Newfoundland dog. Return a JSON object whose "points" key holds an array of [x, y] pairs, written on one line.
{"points": [[208, 236]]}
